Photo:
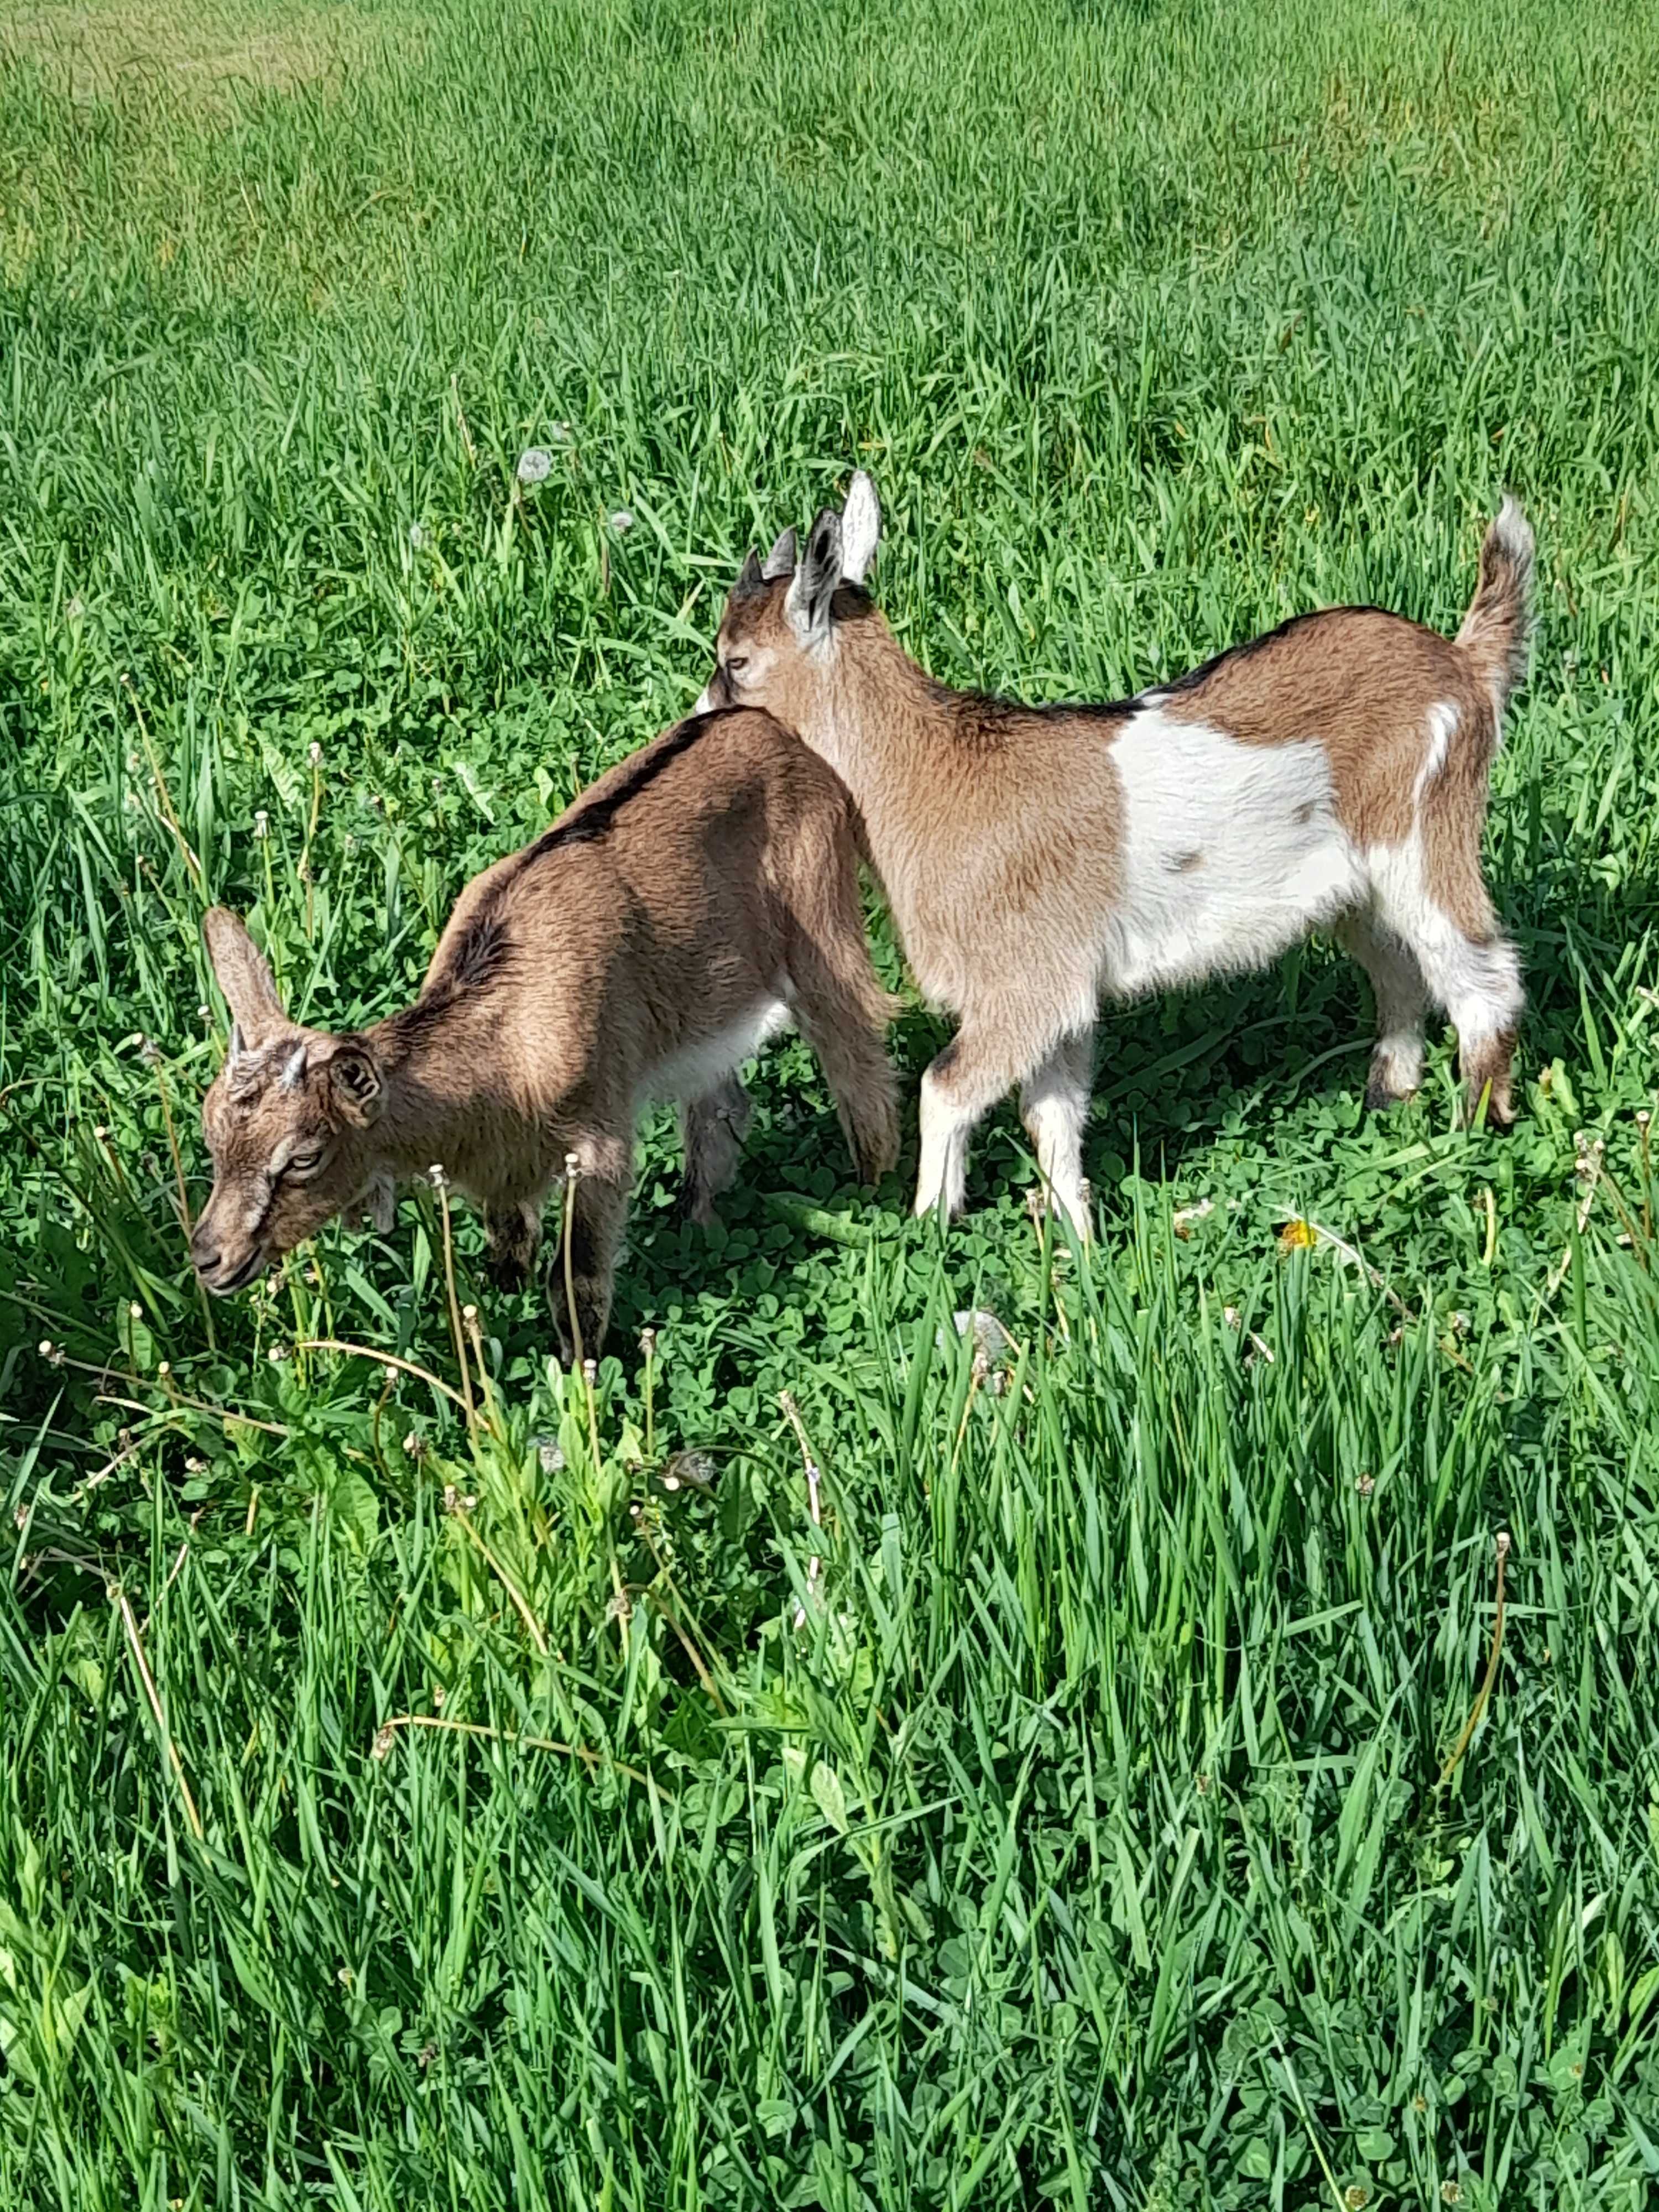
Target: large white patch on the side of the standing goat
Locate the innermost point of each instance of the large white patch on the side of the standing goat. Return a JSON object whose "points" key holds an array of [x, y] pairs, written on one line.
{"points": [[1231, 853]]}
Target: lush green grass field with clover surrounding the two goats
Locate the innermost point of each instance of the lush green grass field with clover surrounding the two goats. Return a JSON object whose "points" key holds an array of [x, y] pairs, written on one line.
{"points": [[1067, 1795]]}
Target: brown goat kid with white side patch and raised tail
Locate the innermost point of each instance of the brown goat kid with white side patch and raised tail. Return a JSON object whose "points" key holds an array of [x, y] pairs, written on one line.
{"points": [[1331, 775]]}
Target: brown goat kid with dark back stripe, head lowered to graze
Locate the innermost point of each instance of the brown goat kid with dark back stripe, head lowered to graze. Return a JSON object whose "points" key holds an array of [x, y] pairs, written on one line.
{"points": [[691, 904]]}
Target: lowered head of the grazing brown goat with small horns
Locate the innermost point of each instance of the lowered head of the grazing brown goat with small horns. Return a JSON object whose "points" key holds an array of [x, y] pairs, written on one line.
{"points": [[286, 1123]]}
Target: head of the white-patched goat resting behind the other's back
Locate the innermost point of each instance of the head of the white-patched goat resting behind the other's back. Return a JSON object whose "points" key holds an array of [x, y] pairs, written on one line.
{"points": [[780, 638]]}
